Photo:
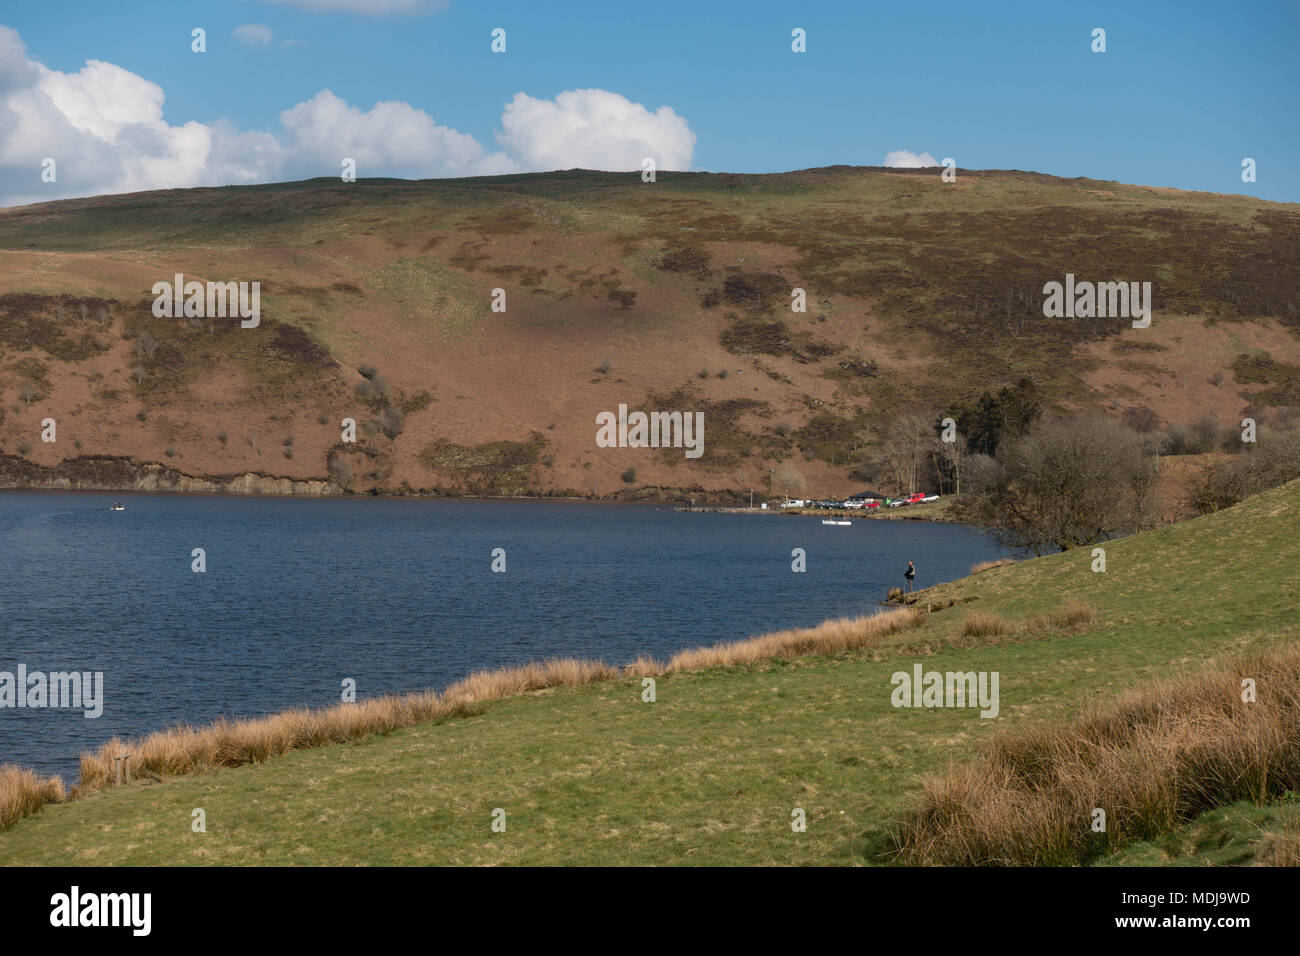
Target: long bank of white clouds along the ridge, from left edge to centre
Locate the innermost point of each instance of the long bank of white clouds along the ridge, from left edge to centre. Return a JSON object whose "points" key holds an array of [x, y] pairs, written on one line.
{"points": [[106, 129]]}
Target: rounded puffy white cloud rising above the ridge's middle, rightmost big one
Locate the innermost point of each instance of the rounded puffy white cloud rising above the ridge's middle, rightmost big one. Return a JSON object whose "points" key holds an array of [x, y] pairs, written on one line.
{"points": [[595, 129]]}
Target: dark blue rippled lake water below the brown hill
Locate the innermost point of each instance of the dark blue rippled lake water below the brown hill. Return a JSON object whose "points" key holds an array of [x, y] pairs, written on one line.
{"points": [[396, 594]]}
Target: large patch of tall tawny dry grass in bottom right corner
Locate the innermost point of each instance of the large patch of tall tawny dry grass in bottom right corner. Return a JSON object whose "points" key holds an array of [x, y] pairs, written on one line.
{"points": [[1152, 760]]}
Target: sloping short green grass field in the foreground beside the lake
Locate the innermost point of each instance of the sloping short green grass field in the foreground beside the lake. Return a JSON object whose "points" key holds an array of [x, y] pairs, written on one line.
{"points": [[712, 772]]}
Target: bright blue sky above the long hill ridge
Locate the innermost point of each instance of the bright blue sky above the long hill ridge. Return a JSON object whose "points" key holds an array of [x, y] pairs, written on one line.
{"points": [[1182, 94]]}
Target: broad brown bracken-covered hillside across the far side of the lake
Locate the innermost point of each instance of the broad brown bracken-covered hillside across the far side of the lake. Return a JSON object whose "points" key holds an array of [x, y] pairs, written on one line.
{"points": [[668, 296]]}
